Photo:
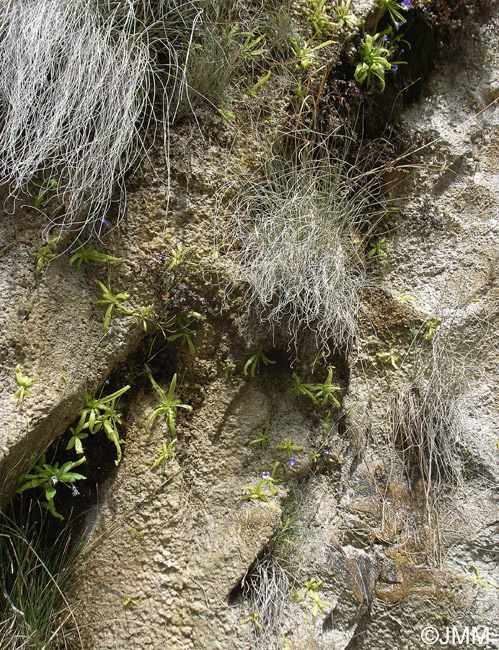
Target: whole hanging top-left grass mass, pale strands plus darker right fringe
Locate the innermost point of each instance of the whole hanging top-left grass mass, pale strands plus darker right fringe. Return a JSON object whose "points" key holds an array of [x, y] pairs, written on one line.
{"points": [[76, 80]]}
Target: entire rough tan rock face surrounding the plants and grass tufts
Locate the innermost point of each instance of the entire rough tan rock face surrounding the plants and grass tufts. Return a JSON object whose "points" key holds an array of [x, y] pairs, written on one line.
{"points": [[352, 550]]}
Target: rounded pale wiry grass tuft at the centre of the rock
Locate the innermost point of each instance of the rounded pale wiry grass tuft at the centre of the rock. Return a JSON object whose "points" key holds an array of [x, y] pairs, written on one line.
{"points": [[295, 235]]}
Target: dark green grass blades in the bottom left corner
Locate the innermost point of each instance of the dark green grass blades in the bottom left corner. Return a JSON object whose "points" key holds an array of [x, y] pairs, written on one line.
{"points": [[34, 613]]}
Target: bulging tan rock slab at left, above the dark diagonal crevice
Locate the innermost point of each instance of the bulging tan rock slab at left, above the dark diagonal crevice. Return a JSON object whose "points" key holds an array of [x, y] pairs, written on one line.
{"points": [[52, 328]]}
